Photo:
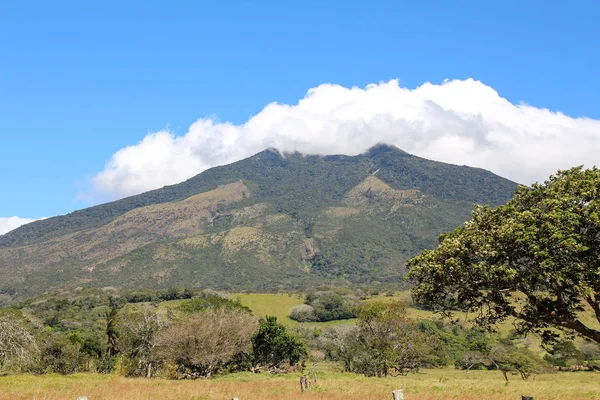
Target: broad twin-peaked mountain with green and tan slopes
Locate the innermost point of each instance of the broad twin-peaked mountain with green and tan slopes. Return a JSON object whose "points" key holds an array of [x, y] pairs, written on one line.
{"points": [[268, 222]]}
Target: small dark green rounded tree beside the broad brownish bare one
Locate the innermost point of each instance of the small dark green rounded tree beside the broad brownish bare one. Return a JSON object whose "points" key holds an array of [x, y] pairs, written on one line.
{"points": [[273, 345]]}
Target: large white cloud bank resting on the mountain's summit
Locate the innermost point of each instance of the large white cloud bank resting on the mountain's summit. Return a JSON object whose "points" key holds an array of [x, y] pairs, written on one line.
{"points": [[460, 122]]}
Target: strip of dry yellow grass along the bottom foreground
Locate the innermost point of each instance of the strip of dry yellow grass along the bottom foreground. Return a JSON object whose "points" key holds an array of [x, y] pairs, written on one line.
{"points": [[439, 384]]}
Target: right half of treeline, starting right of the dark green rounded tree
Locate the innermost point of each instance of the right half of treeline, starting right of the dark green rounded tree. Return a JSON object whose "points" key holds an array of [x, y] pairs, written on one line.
{"points": [[386, 342]]}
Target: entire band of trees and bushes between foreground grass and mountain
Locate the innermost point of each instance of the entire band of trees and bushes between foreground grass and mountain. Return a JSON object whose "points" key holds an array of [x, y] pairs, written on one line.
{"points": [[209, 333]]}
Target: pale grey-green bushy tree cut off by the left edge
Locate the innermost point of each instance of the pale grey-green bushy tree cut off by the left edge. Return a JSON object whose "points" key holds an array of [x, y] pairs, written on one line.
{"points": [[18, 346]]}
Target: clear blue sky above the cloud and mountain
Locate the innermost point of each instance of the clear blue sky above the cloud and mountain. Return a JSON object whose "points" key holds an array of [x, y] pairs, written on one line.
{"points": [[81, 80]]}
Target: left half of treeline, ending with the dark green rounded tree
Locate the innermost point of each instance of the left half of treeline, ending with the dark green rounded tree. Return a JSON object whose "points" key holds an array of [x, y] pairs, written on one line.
{"points": [[199, 337]]}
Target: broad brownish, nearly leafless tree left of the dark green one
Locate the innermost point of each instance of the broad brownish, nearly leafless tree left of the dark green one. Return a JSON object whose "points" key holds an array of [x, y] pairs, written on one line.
{"points": [[204, 341]]}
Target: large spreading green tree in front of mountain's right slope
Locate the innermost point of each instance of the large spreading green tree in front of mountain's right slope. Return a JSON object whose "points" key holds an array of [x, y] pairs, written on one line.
{"points": [[536, 259]]}
